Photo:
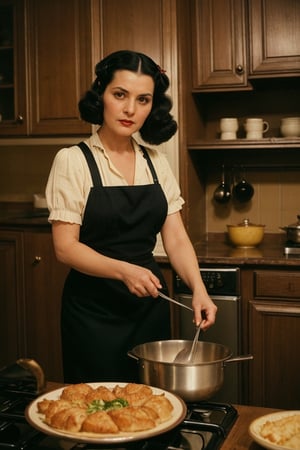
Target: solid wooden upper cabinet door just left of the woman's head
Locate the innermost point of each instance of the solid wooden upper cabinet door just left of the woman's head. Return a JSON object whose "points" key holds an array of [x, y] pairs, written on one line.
{"points": [[60, 66]]}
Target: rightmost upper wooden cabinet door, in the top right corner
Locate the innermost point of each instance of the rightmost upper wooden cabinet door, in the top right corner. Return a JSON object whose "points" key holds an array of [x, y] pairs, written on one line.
{"points": [[274, 37]]}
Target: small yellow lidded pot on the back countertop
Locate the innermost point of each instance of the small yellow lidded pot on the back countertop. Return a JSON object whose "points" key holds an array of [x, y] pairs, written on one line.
{"points": [[246, 234]]}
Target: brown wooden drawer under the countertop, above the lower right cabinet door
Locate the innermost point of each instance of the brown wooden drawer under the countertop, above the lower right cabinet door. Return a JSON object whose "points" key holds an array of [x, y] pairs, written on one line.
{"points": [[277, 284]]}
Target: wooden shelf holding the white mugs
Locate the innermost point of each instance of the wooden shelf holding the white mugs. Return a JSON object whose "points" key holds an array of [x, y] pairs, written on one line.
{"points": [[266, 143]]}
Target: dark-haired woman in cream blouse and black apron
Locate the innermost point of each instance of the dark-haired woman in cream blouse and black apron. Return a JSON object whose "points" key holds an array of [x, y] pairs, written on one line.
{"points": [[108, 198]]}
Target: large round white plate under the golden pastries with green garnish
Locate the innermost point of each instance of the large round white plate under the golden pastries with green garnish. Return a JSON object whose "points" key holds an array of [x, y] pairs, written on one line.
{"points": [[36, 419]]}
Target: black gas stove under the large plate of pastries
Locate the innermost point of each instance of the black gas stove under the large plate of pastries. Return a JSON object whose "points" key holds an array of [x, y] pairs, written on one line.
{"points": [[205, 426]]}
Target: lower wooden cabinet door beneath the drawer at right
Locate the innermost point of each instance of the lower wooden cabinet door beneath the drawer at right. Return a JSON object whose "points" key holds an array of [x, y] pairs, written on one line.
{"points": [[274, 342]]}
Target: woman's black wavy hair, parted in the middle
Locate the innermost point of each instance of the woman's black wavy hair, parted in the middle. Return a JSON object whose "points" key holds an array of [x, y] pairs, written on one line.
{"points": [[159, 126]]}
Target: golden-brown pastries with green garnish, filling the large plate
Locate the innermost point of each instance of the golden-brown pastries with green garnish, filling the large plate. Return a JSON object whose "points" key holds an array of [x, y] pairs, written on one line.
{"points": [[81, 408]]}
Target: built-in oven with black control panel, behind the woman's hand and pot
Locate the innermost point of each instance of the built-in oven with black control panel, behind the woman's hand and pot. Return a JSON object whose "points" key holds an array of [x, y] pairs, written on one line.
{"points": [[223, 286]]}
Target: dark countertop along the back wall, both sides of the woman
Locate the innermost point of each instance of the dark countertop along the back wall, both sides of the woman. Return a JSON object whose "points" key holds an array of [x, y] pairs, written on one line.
{"points": [[213, 250]]}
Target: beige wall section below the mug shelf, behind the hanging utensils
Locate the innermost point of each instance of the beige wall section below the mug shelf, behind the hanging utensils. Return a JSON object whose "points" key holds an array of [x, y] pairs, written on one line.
{"points": [[275, 202]]}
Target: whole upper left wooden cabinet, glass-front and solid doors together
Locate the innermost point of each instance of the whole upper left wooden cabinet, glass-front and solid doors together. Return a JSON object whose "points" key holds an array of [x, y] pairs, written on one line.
{"points": [[46, 65]]}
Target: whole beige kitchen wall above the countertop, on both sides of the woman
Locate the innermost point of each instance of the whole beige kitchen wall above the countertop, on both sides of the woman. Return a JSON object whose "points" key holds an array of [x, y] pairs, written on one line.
{"points": [[24, 171]]}
